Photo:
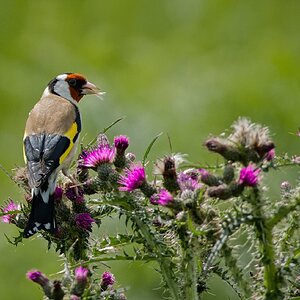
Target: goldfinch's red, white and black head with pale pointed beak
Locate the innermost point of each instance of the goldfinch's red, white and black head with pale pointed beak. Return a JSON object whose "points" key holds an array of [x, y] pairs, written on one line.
{"points": [[72, 86]]}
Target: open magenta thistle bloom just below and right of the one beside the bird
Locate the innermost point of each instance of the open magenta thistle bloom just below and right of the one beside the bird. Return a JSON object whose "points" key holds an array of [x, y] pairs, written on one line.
{"points": [[134, 178]]}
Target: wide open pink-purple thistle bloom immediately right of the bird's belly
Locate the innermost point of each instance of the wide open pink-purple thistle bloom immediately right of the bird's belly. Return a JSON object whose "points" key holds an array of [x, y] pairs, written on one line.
{"points": [[101, 155]]}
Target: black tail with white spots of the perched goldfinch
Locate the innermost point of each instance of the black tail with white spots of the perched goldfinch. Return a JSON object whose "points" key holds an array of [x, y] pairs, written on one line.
{"points": [[42, 215]]}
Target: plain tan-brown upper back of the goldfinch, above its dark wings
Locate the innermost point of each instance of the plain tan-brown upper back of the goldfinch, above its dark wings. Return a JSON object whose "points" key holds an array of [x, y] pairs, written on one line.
{"points": [[52, 114]]}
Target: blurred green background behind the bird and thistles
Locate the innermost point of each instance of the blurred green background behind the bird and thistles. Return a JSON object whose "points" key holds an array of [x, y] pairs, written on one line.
{"points": [[184, 67]]}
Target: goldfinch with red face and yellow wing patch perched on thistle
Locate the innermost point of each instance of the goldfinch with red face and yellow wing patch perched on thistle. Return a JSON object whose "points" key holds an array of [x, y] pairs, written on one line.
{"points": [[49, 145]]}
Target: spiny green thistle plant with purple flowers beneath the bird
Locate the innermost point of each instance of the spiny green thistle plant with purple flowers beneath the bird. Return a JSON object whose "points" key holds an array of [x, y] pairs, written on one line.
{"points": [[176, 216]]}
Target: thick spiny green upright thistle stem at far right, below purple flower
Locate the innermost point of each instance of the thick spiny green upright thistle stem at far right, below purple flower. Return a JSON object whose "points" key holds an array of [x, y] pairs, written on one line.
{"points": [[265, 239]]}
